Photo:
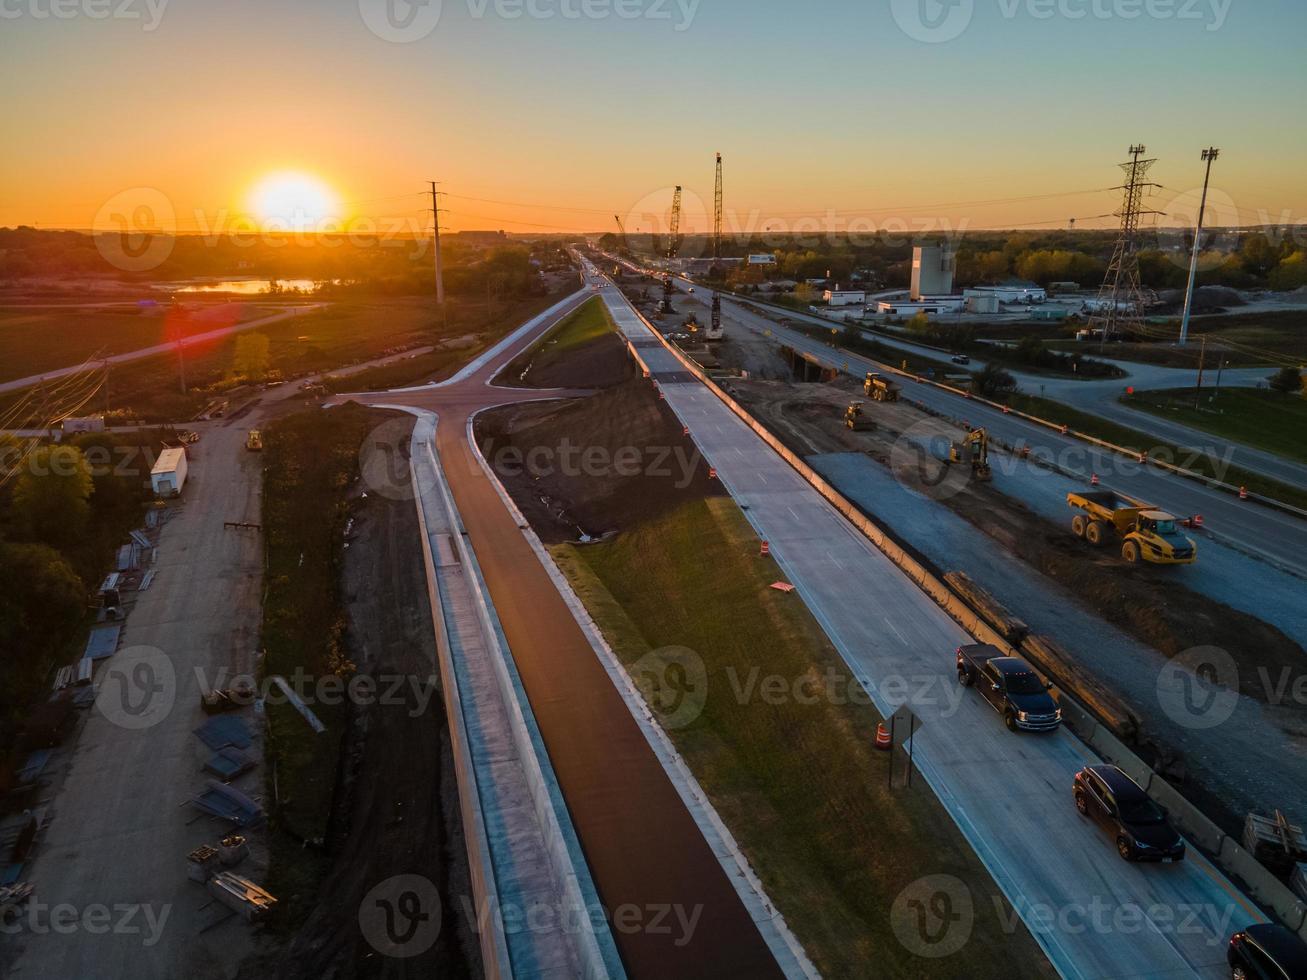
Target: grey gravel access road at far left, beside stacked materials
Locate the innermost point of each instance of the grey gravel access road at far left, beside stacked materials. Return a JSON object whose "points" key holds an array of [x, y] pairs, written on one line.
{"points": [[121, 832]]}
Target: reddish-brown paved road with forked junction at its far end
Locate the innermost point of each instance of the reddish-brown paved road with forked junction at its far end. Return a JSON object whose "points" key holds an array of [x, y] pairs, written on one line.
{"points": [[644, 847]]}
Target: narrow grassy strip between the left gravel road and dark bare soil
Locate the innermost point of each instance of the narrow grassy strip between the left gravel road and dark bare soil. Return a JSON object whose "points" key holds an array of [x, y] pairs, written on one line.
{"points": [[312, 461]]}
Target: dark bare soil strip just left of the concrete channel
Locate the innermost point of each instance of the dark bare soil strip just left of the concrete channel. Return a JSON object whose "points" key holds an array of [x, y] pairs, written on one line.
{"points": [[397, 807]]}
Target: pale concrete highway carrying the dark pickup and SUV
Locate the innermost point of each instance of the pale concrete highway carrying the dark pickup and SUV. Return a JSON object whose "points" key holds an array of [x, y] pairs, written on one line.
{"points": [[1095, 915]]}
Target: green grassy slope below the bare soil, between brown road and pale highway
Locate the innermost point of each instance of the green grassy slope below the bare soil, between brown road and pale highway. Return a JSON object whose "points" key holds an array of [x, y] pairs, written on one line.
{"points": [[799, 785]]}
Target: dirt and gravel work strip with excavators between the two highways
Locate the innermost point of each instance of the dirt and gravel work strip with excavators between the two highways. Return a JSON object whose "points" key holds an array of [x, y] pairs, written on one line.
{"points": [[1146, 615]]}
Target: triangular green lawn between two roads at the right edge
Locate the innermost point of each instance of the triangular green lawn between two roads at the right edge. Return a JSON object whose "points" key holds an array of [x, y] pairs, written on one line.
{"points": [[1257, 417]]}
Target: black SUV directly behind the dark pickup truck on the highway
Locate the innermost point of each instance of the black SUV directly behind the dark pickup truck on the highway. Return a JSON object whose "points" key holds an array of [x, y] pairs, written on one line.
{"points": [[1117, 803]]}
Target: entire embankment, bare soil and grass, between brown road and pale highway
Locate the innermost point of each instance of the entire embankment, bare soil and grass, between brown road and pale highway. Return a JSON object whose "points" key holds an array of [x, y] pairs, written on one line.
{"points": [[795, 778]]}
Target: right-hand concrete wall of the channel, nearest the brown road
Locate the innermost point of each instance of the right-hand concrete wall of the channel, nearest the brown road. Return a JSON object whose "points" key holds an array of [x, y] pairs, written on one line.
{"points": [[597, 952]]}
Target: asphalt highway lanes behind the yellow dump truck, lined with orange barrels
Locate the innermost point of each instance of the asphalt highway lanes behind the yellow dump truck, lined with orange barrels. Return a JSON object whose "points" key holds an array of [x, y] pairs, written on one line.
{"points": [[1259, 530]]}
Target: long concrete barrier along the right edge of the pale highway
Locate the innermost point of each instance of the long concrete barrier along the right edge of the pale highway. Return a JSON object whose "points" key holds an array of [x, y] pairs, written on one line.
{"points": [[1223, 849]]}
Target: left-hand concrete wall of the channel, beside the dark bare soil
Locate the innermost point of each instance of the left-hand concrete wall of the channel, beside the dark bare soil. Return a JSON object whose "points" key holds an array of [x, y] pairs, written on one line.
{"points": [[495, 947]]}
